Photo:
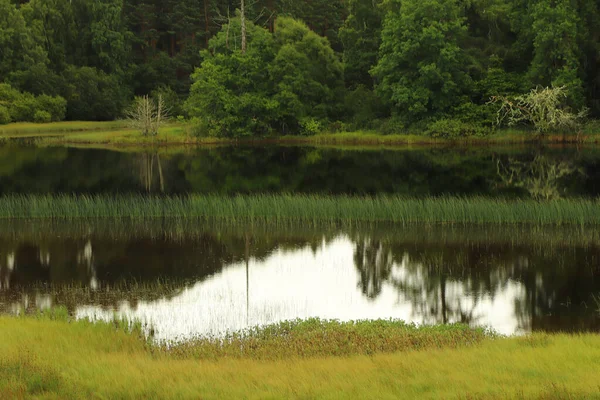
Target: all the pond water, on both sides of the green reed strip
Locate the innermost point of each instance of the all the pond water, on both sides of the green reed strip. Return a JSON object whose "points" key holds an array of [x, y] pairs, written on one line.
{"points": [[188, 278]]}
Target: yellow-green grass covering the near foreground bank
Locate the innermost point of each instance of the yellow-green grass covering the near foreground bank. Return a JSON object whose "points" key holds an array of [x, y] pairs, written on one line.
{"points": [[42, 358]]}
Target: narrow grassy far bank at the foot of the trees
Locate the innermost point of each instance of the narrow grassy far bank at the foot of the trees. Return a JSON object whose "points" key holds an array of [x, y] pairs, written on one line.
{"points": [[117, 134]]}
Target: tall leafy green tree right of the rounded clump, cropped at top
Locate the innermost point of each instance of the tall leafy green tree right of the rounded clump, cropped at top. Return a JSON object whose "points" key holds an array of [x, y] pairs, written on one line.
{"points": [[421, 69]]}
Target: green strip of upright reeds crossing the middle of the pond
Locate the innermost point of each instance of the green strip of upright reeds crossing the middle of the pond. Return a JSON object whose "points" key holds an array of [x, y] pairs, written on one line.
{"points": [[308, 209]]}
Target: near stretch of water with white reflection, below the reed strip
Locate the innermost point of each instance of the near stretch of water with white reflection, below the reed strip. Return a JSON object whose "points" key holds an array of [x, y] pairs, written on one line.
{"points": [[188, 278]]}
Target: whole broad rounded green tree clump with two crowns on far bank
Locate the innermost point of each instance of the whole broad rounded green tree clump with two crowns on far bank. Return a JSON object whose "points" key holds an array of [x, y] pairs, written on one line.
{"points": [[286, 82]]}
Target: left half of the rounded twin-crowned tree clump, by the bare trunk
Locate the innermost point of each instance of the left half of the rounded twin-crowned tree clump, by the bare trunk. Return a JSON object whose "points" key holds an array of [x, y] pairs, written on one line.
{"points": [[231, 94]]}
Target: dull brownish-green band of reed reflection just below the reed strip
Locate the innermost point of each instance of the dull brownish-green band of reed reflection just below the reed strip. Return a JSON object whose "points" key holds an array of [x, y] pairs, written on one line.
{"points": [[182, 230]]}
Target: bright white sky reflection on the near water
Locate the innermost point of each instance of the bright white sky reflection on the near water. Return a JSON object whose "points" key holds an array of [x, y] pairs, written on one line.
{"points": [[291, 284]]}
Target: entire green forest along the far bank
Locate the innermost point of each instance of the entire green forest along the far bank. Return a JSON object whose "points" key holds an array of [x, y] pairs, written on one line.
{"points": [[276, 67]]}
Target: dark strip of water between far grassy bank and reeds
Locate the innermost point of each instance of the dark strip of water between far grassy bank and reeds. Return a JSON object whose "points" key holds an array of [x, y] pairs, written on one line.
{"points": [[536, 172]]}
